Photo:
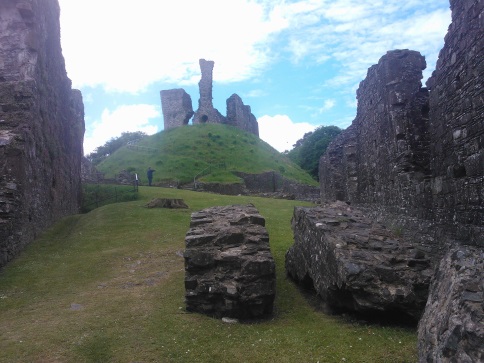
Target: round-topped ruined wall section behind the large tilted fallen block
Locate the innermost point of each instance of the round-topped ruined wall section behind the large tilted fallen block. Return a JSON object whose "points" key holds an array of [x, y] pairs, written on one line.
{"points": [[383, 157]]}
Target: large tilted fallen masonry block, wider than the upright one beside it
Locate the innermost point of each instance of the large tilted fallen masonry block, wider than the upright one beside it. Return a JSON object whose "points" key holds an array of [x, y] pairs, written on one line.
{"points": [[356, 264]]}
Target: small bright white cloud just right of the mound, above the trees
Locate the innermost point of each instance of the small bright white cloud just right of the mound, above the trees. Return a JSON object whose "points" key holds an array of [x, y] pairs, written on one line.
{"points": [[281, 132]]}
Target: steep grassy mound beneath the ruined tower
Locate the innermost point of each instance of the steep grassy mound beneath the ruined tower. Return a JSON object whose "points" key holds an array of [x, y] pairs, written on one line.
{"points": [[183, 152]]}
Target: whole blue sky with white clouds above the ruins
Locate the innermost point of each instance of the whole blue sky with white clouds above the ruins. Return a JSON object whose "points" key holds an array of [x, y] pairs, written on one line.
{"points": [[297, 63]]}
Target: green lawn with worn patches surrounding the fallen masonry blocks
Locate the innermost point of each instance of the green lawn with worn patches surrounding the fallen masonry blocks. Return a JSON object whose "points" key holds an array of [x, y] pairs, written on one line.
{"points": [[107, 286]]}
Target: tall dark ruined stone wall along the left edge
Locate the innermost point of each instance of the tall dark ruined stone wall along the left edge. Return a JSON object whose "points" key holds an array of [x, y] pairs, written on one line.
{"points": [[41, 125]]}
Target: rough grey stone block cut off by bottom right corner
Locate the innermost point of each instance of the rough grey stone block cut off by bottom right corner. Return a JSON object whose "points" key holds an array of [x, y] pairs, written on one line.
{"points": [[452, 327]]}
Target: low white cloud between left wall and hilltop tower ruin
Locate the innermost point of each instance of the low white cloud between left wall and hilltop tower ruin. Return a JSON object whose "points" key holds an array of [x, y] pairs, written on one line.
{"points": [[126, 118]]}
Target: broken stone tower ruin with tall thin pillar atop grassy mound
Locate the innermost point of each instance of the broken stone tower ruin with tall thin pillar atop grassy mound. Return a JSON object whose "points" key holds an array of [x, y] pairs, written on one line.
{"points": [[177, 106]]}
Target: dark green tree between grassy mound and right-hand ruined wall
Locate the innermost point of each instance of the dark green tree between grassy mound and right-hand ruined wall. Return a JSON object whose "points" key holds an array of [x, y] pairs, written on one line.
{"points": [[308, 150]]}
